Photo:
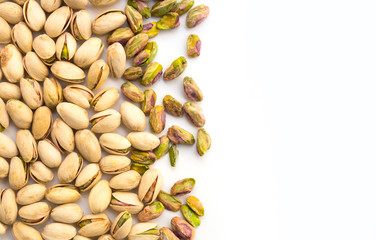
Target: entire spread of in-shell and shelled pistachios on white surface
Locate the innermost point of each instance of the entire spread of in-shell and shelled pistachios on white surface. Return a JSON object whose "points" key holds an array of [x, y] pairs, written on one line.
{"points": [[45, 45]]}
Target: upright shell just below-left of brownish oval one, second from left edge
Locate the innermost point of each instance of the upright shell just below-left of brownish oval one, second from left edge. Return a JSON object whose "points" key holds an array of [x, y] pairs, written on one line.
{"points": [[26, 146]]}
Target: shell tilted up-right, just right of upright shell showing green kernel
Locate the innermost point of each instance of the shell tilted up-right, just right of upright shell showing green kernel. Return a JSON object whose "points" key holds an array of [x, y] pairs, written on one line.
{"points": [[88, 52]]}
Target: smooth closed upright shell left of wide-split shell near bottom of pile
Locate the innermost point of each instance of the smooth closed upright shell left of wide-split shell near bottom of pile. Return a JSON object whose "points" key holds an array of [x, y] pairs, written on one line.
{"points": [[100, 197]]}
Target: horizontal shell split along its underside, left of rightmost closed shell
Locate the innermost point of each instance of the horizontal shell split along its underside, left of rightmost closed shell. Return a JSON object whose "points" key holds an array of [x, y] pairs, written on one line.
{"points": [[114, 143]]}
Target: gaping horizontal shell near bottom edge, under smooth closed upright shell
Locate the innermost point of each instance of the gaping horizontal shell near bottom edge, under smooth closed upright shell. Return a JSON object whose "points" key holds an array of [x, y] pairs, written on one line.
{"points": [[93, 225]]}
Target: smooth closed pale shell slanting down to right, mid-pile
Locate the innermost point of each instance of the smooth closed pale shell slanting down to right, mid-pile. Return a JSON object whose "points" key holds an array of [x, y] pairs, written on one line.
{"points": [[76, 117]]}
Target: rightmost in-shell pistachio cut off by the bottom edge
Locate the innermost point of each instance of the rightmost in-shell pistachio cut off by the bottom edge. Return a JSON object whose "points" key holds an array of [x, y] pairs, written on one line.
{"points": [[146, 230]]}
